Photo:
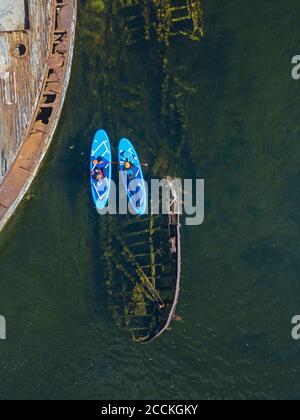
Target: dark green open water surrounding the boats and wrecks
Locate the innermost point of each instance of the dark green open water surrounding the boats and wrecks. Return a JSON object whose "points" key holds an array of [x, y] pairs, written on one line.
{"points": [[238, 123]]}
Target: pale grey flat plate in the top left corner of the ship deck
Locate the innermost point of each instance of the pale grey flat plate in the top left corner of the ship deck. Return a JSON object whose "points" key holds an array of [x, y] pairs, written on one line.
{"points": [[12, 15]]}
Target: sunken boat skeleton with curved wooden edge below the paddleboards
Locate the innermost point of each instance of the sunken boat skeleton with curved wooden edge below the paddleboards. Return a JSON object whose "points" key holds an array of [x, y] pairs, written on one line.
{"points": [[143, 271]]}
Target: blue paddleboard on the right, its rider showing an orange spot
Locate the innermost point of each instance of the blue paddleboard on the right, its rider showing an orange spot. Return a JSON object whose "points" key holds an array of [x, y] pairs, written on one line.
{"points": [[133, 177]]}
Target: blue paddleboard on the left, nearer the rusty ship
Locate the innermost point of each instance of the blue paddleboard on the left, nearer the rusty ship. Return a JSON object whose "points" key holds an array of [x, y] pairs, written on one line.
{"points": [[100, 169]]}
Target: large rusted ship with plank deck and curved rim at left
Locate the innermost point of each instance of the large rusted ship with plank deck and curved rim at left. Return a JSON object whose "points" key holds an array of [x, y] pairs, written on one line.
{"points": [[36, 51]]}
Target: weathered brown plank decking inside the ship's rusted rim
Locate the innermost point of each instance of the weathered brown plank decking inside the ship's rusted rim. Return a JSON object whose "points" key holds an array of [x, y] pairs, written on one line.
{"points": [[21, 79]]}
